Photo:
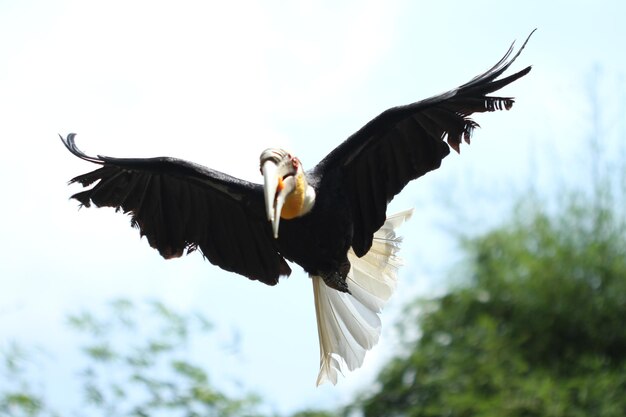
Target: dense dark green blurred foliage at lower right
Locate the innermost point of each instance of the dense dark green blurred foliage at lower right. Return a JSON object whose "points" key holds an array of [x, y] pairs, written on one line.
{"points": [[537, 329]]}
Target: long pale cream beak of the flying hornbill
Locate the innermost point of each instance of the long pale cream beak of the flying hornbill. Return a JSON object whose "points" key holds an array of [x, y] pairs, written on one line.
{"points": [[276, 188]]}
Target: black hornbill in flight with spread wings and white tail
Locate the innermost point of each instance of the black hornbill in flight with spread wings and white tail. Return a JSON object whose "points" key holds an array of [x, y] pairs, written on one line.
{"points": [[330, 220]]}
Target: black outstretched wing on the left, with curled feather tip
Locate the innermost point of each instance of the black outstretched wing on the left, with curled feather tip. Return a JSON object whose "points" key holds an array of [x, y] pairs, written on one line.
{"points": [[180, 207]]}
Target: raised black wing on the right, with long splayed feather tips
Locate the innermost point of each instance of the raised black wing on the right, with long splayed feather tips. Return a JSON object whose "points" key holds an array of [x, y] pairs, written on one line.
{"points": [[403, 143]]}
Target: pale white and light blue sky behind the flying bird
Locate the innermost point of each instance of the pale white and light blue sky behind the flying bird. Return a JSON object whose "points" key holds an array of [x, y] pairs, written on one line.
{"points": [[216, 83]]}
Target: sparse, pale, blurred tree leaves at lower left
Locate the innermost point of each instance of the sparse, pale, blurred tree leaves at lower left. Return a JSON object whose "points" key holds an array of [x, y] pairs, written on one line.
{"points": [[136, 363]]}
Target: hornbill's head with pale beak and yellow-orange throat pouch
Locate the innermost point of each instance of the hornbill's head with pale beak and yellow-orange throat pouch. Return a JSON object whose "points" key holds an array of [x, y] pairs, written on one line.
{"points": [[287, 193]]}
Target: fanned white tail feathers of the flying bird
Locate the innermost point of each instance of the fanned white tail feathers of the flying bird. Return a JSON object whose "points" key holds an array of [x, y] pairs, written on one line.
{"points": [[348, 325]]}
